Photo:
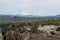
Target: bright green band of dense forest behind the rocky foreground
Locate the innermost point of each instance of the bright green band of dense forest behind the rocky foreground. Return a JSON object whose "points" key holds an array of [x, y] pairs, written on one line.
{"points": [[48, 22]]}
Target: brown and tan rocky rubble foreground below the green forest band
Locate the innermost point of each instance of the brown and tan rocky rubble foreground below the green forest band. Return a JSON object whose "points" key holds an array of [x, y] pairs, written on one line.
{"points": [[43, 33]]}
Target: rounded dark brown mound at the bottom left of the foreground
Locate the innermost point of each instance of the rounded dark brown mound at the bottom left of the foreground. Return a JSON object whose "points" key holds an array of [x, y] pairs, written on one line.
{"points": [[13, 35]]}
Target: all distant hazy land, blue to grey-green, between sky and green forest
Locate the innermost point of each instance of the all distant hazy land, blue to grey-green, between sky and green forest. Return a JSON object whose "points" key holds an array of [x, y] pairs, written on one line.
{"points": [[26, 18]]}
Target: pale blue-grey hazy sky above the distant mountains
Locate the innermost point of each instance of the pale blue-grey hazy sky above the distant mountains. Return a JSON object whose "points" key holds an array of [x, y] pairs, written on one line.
{"points": [[30, 7]]}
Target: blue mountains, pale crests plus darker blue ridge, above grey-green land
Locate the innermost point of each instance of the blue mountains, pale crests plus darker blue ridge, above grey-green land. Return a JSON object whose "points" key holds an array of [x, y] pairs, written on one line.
{"points": [[30, 16]]}
